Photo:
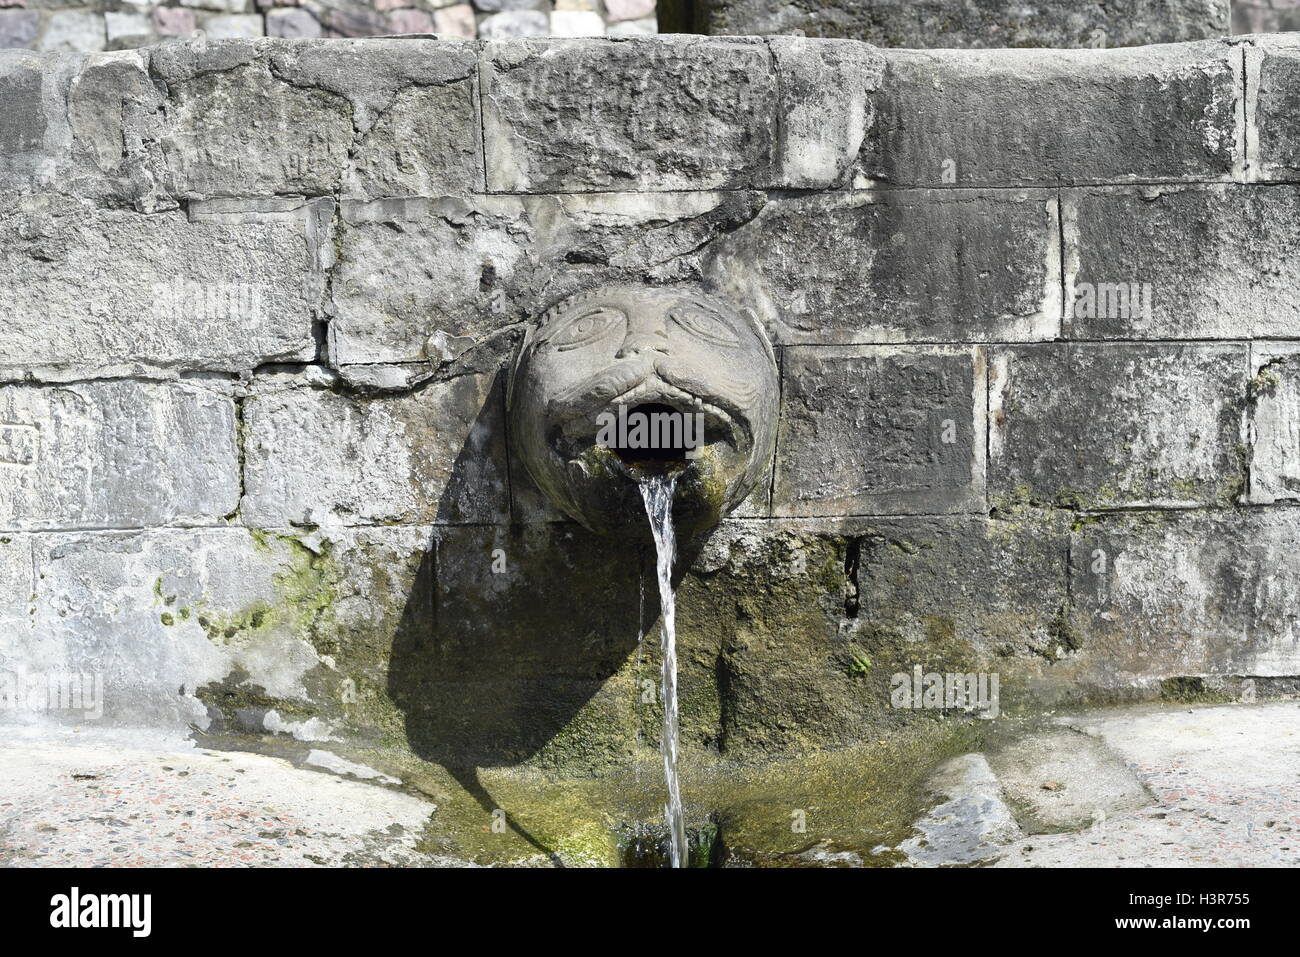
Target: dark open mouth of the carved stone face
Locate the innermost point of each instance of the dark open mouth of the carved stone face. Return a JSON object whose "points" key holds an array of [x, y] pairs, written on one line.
{"points": [[674, 425]]}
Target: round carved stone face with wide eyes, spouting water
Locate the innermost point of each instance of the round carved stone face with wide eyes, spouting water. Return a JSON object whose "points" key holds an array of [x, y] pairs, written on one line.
{"points": [[644, 349]]}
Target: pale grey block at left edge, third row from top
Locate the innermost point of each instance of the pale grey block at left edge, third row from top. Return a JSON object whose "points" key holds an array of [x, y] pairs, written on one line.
{"points": [[118, 454]]}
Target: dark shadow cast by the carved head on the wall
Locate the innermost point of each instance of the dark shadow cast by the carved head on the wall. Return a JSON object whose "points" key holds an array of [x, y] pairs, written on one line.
{"points": [[510, 633]]}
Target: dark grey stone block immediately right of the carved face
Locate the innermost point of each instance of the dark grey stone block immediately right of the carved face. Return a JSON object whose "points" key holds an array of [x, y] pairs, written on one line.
{"points": [[879, 430]]}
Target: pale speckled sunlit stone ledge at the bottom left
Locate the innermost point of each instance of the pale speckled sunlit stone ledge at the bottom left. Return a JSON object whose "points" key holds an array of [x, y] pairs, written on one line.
{"points": [[176, 804]]}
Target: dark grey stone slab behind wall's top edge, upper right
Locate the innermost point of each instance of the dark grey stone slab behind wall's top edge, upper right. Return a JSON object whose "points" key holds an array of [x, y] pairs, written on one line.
{"points": [[990, 24]]}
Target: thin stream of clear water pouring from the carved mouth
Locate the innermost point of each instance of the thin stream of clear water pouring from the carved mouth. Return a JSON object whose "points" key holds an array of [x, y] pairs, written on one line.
{"points": [[657, 492]]}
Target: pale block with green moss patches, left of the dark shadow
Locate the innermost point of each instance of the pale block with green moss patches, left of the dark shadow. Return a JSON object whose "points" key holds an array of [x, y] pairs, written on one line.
{"points": [[226, 626]]}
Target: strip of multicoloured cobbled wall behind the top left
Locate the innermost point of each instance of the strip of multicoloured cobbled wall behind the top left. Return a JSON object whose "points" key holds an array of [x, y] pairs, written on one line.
{"points": [[86, 28]]}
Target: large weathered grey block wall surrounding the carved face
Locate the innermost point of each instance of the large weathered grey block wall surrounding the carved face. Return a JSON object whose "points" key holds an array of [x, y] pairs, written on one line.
{"points": [[1037, 323]]}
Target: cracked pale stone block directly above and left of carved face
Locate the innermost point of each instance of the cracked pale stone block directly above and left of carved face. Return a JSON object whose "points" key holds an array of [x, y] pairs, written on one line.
{"points": [[463, 269]]}
